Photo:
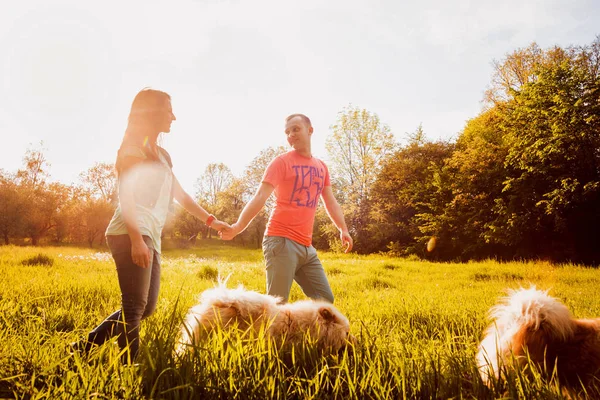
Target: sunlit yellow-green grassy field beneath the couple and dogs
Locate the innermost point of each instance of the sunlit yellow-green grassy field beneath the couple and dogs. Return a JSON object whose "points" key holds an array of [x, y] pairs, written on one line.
{"points": [[418, 325]]}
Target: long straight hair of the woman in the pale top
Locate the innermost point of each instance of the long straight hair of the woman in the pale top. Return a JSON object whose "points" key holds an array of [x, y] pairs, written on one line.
{"points": [[147, 110]]}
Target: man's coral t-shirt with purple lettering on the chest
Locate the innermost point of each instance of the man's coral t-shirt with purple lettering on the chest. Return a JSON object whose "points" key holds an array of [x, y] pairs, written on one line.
{"points": [[298, 182]]}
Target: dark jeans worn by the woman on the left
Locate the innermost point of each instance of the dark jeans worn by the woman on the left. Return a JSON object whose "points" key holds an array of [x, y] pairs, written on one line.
{"points": [[139, 293]]}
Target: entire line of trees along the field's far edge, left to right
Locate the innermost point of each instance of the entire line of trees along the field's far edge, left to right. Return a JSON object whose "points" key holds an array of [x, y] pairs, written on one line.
{"points": [[522, 179]]}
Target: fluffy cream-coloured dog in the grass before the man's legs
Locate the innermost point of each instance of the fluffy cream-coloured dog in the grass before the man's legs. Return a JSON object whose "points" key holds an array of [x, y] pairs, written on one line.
{"points": [[287, 323]]}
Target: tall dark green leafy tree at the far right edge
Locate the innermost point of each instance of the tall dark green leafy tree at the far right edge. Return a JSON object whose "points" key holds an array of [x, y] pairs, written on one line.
{"points": [[553, 165]]}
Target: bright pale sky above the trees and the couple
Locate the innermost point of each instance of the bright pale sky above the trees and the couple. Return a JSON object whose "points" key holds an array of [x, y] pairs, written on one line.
{"points": [[235, 69]]}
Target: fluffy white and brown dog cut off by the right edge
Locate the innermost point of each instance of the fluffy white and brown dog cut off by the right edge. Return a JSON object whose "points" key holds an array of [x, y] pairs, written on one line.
{"points": [[531, 326]]}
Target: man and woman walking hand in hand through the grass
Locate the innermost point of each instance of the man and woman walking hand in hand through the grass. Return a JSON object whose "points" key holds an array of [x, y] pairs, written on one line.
{"points": [[147, 186]]}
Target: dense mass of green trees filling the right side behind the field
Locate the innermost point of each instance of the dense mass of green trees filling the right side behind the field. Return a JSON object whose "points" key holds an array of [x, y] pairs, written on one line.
{"points": [[523, 180]]}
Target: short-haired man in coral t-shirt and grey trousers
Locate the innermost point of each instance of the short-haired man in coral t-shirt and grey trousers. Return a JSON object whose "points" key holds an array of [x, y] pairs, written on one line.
{"points": [[298, 179]]}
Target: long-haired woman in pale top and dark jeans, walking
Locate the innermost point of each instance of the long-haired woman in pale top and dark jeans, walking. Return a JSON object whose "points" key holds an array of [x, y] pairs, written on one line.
{"points": [[146, 188]]}
